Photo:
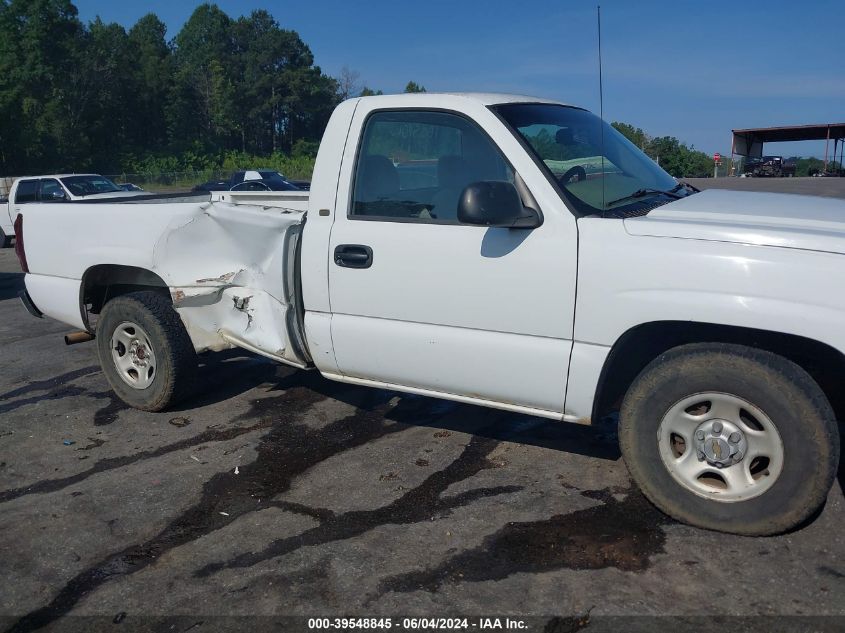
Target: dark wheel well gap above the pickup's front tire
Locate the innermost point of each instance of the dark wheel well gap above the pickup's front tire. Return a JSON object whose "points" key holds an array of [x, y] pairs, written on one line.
{"points": [[637, 347]]}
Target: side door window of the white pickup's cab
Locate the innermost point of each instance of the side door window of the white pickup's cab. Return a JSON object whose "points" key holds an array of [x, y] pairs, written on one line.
{"points": [[413, 166]]}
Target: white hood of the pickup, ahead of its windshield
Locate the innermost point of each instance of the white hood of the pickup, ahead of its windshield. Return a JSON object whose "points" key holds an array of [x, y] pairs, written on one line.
{"points": [[762, 219]]}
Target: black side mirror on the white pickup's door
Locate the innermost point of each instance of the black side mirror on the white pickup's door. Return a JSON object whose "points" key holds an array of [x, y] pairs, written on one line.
{"points": [[495, 203]]}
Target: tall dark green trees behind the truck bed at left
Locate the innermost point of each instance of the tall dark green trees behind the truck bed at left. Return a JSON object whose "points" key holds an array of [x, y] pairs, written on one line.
{"points": [[96, 97]]}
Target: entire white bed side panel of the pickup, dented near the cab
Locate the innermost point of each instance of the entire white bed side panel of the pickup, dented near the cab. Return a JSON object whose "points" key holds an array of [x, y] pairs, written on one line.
{"points": [[226, 262]]}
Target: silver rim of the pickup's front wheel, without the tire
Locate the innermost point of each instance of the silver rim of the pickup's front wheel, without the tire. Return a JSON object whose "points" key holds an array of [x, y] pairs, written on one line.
{"points": [[720, 446]]}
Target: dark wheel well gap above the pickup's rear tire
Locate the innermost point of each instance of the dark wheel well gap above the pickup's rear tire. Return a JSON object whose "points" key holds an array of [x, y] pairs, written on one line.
{"points": [[106, 281]]}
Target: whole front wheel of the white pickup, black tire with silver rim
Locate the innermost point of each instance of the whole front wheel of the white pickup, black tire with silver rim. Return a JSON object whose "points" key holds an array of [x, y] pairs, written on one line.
{"points": [[781, 409]]}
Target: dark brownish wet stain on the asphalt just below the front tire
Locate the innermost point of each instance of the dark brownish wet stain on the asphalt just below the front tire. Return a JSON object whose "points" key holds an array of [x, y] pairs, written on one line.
{"points": [[622, 534]]}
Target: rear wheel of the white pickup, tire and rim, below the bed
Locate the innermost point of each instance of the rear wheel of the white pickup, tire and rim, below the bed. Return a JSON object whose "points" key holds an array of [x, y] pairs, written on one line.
{"points": [[145, 351]]}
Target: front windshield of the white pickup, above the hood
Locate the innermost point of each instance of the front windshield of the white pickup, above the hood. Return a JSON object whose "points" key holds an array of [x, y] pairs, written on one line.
{"points": [[595, 174]]}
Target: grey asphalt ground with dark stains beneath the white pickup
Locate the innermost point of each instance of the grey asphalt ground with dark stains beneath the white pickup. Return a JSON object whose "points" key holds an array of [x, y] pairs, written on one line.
{"points": [[276, 492]]}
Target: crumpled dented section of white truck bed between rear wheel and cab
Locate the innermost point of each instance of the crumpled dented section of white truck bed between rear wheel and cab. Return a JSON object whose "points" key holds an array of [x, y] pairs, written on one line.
{"points": [[227, 267]]}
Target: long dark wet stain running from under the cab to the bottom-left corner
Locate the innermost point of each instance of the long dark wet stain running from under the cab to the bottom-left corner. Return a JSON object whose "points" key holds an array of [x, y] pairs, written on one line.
{"points": [[288, 450]]}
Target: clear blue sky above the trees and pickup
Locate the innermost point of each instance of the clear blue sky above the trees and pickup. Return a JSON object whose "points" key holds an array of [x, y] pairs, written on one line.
{"points": [[690, 69]]}
